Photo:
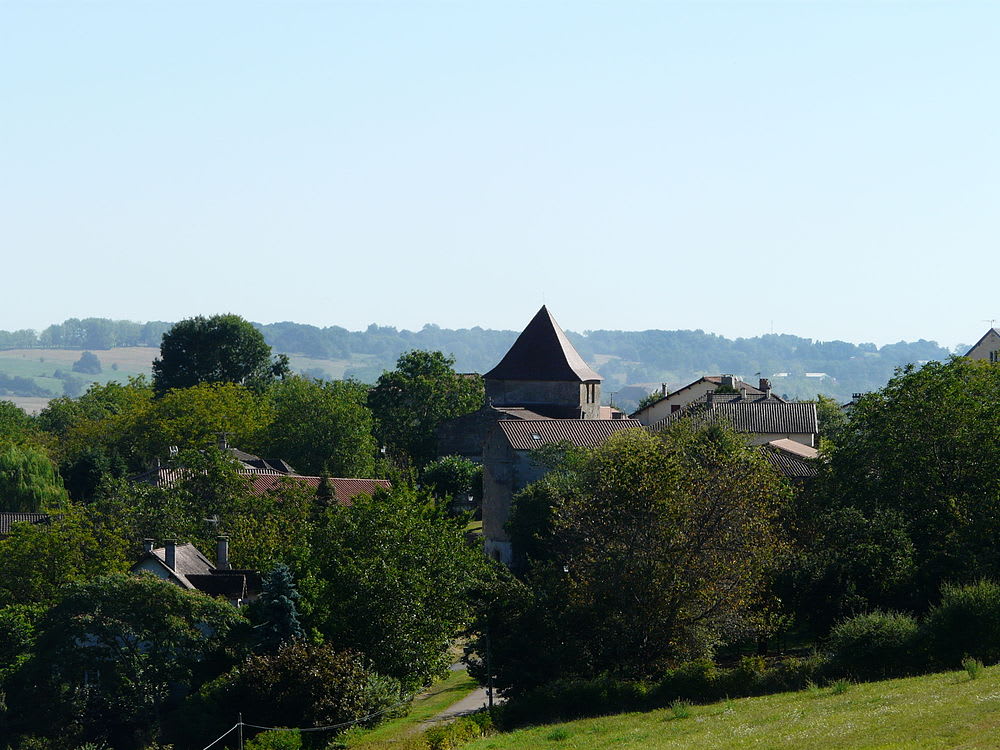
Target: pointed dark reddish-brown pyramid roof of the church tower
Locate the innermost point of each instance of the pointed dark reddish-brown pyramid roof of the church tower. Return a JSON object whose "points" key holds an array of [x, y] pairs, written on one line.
{"points": [[542, 352]]}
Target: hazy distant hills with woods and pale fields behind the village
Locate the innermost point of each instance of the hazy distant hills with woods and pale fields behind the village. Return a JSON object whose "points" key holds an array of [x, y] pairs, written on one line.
{"points": [[38, 365]]}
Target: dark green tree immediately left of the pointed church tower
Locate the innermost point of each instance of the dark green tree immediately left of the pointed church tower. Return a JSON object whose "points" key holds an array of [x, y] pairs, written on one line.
{"points": [[410, 402]]}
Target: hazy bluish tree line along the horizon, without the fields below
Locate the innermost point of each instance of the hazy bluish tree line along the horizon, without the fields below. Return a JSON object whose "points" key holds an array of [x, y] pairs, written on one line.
{"points": [[650, 356]]}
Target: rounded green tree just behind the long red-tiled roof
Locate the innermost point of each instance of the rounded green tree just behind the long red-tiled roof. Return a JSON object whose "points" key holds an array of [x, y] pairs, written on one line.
{"points": [[319, 425]]}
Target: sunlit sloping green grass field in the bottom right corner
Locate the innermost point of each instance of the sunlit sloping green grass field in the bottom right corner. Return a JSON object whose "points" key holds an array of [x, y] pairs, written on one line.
{"points": [[946, 710]]}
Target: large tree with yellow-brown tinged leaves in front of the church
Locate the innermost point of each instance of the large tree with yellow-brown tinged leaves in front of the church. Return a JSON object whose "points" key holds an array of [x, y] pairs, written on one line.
{"points": [[653, 550]]}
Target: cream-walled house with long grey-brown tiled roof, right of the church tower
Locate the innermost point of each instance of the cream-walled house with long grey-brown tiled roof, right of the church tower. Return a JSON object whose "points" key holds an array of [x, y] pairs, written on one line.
{"points": [[761, 419]]}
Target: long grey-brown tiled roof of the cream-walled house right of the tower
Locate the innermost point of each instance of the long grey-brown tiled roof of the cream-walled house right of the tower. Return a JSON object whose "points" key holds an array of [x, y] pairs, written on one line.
{"points": [[774, 417]]}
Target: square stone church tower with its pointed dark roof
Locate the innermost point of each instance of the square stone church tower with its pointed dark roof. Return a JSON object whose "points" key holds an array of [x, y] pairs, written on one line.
{"points": [[543, 372]]}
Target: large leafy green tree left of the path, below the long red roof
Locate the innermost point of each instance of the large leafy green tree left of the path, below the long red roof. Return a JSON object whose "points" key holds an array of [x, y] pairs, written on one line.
{"points": [[395, 580]]}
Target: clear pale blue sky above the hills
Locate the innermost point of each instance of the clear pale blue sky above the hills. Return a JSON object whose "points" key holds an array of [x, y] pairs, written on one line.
{"points": [[826, 169]]}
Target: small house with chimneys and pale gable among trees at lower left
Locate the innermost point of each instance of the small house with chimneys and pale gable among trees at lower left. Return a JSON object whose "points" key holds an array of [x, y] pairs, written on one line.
{"points": [[184, 565]]}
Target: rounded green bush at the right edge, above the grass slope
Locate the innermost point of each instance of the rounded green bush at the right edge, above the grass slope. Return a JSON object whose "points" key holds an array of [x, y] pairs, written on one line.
{"points": [[965, 623]]}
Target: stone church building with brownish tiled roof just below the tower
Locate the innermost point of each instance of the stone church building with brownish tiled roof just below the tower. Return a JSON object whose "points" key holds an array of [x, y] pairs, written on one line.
{"points": [[509, 466]]}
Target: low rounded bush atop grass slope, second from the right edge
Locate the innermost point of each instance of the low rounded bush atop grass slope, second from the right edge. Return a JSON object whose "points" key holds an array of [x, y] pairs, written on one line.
{"points": [[875, 646]]}
